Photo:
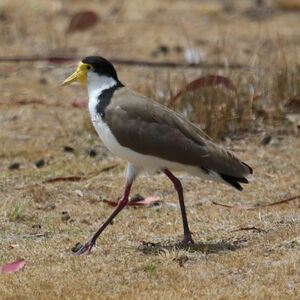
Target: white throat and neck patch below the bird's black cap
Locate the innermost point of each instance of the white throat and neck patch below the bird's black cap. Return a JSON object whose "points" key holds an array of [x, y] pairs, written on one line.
{"points": [[96, 84]]}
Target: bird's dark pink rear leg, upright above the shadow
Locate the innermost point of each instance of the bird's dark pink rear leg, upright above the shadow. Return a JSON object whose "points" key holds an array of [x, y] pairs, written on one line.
{"points": [[177, 184]]}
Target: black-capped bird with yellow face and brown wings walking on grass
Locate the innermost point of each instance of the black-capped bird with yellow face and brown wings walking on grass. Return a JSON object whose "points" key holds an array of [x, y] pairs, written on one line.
{"points": [[151, 138]]}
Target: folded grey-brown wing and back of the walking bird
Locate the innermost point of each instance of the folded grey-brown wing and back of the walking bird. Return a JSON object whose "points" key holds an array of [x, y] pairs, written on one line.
{"points": [[147, 127]]}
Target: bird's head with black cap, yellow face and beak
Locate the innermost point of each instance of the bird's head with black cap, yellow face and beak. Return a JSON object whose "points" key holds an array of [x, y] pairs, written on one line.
{"points": [[93, 68]]}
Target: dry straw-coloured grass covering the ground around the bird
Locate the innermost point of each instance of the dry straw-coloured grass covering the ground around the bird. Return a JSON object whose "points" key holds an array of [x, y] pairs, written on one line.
{"points": [[136, 257]]}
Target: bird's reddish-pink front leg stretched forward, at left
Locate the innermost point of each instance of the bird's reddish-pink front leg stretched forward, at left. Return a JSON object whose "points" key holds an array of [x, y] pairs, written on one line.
{"points": [[121, 204]]}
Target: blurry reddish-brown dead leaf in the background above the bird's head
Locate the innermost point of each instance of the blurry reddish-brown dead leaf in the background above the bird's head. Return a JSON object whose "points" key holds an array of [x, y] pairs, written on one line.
{"points": [[82, 20]]}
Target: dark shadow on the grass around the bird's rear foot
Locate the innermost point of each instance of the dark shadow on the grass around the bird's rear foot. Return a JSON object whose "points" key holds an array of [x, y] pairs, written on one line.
{"points": [[207, 248]]}
